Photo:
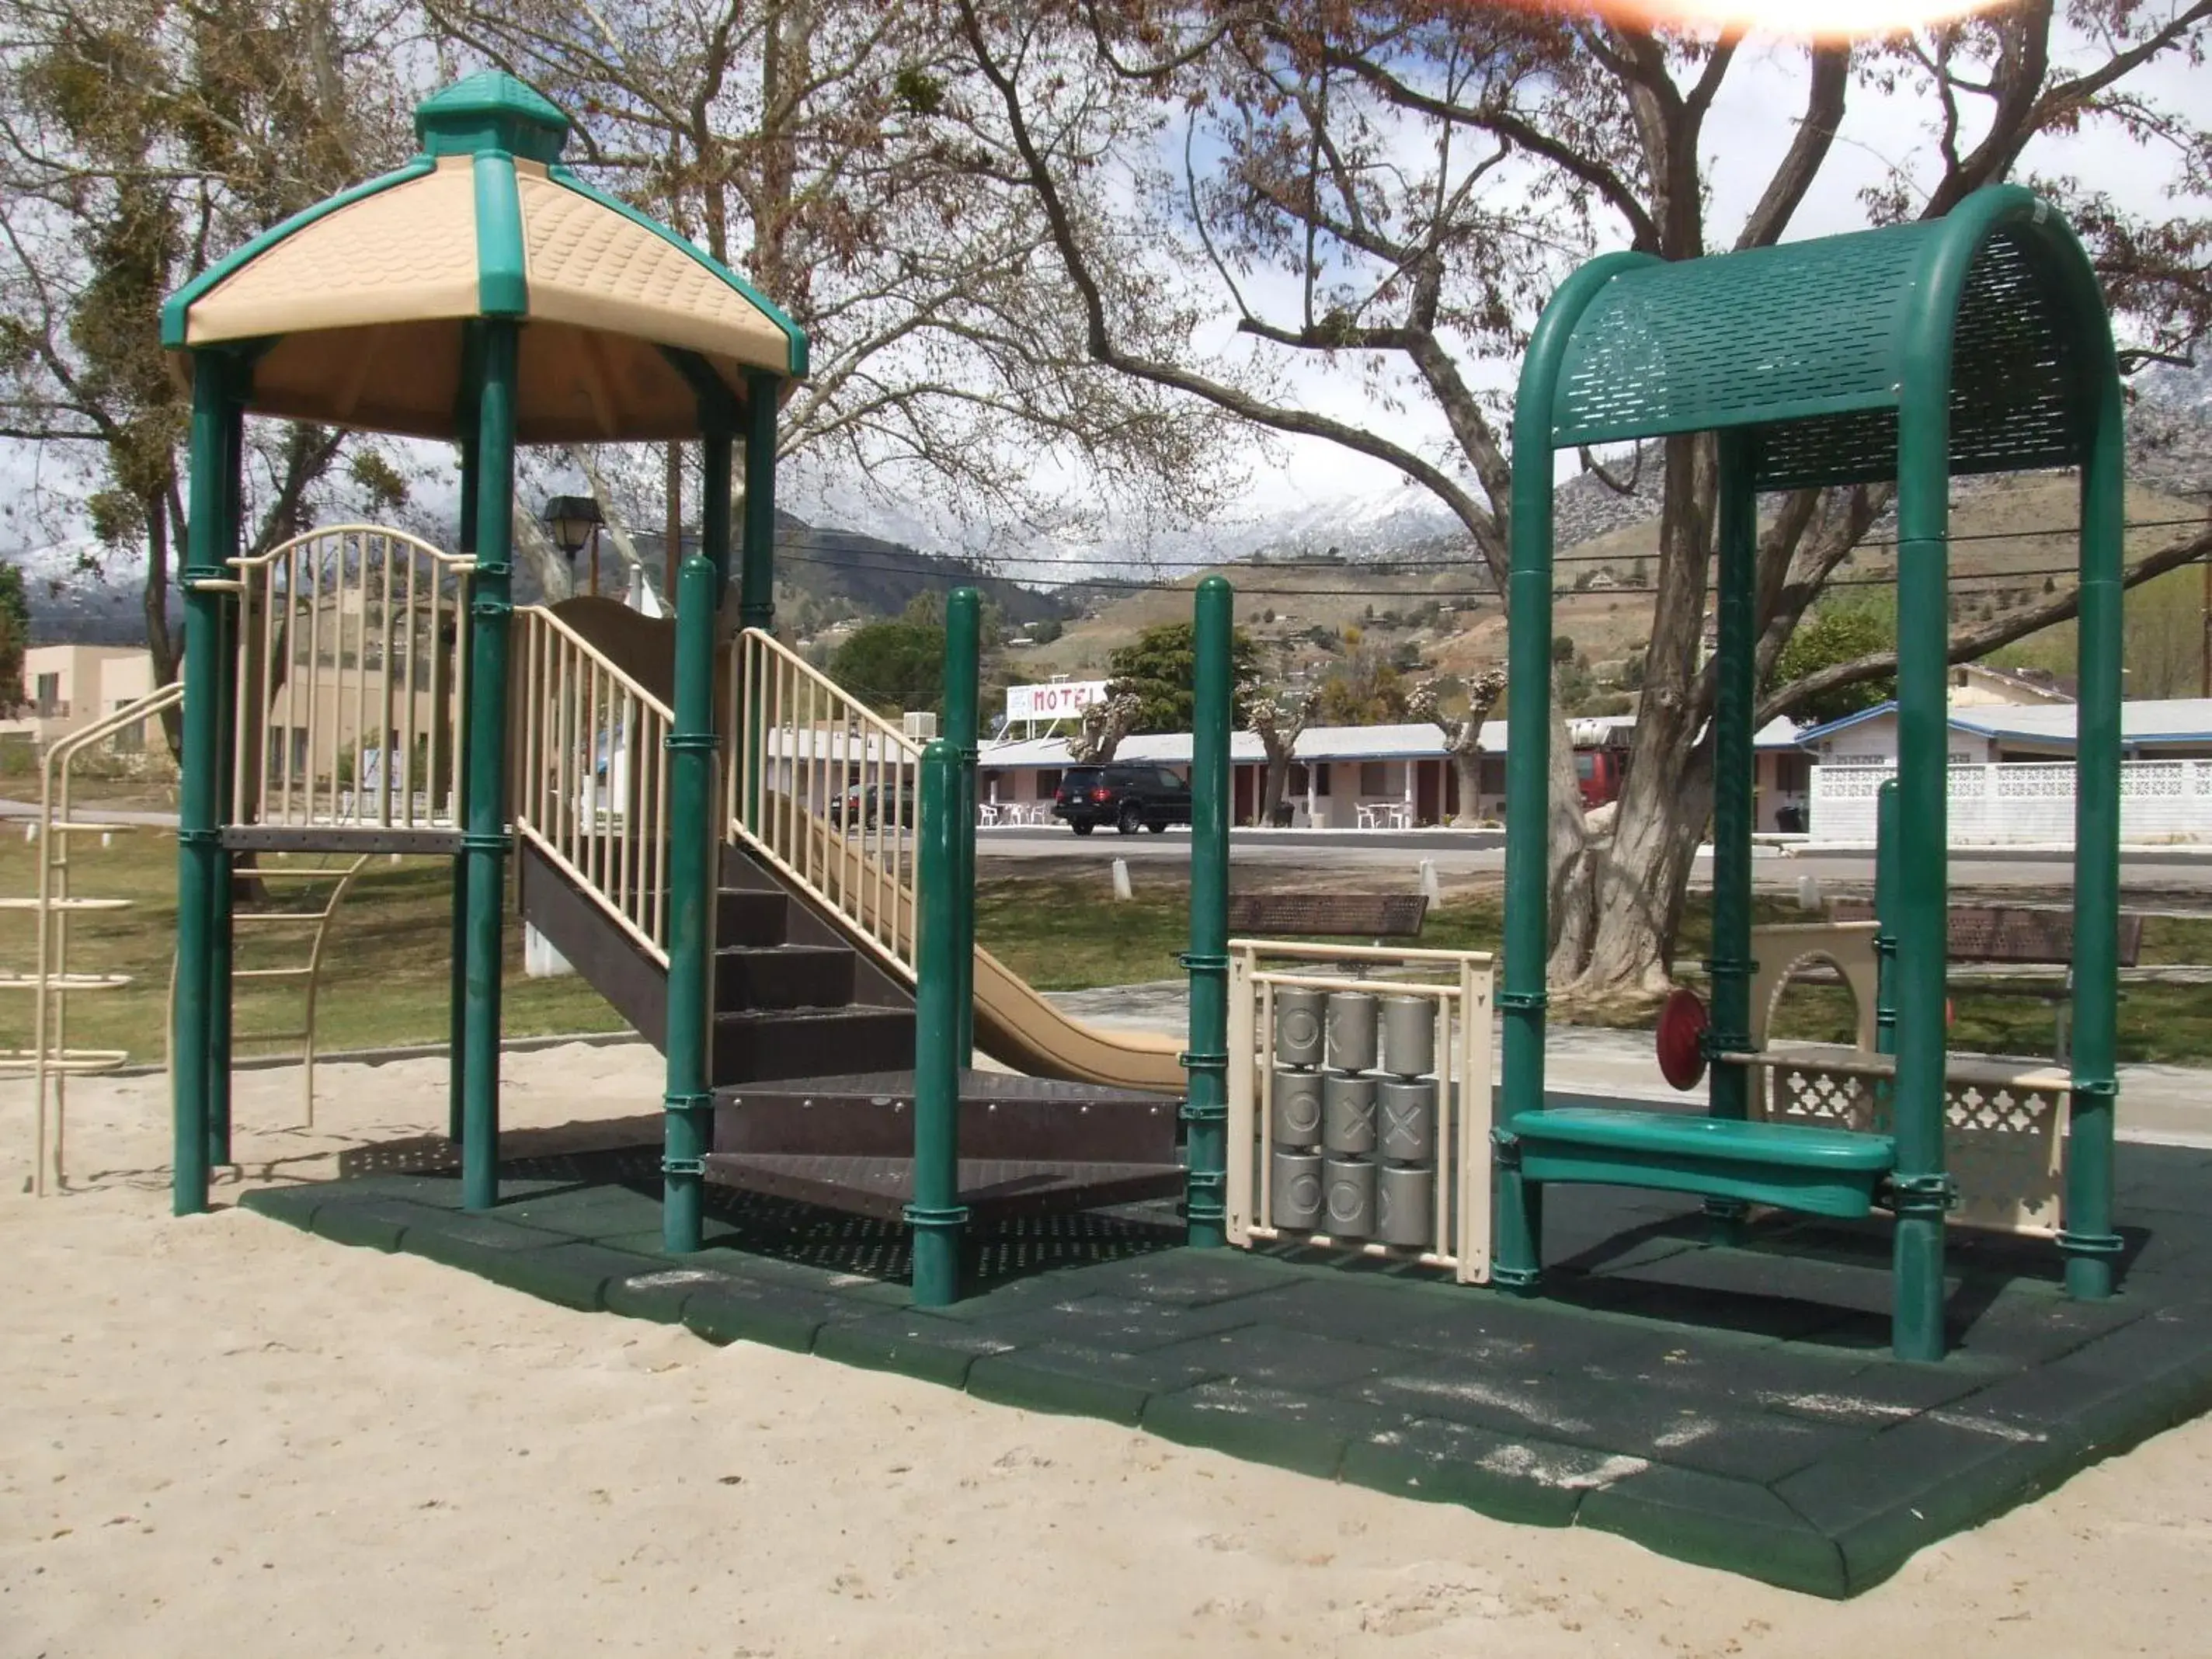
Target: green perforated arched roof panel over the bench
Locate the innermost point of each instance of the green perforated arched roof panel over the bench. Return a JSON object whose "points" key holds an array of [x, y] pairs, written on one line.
{"points": [[1808, 344]]}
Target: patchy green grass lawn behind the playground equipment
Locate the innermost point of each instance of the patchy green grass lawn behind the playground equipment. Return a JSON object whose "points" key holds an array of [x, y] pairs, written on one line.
{"points": [[386, 968]]}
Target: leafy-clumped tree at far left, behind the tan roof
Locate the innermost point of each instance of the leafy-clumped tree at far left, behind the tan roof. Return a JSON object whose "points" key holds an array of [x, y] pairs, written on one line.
{"points": [[138, 143]]}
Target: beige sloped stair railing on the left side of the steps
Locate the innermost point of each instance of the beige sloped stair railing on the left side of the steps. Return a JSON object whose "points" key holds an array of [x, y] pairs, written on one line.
{"points": [[592, 775]]}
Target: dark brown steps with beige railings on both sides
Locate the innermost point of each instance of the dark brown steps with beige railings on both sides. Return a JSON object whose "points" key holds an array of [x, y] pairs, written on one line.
{"points": [[813, 992]]}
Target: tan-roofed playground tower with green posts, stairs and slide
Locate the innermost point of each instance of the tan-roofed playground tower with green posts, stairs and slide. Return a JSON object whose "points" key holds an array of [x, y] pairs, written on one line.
{"points": [[660, 793]]}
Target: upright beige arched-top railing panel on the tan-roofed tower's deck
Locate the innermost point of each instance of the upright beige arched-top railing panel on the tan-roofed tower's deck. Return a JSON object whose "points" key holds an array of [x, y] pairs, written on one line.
{"points": [[351, 680]]}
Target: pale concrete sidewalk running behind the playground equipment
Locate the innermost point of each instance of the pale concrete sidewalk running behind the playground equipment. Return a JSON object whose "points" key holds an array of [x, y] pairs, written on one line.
{"points": [[2158, 1105]]}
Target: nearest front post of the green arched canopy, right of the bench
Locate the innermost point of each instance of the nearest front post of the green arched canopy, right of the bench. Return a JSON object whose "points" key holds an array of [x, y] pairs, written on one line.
{"points": [[1921, 1187]]}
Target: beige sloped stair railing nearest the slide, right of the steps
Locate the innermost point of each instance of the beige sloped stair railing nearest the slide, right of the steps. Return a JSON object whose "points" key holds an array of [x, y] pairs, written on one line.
{"points": [[826, 791]]}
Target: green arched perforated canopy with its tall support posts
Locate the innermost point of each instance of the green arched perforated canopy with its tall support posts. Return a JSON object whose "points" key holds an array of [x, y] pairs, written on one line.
{"points": [[1968, 344]]}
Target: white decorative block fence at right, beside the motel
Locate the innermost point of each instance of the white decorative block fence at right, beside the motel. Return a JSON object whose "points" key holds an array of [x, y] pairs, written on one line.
{"points": [[2018, 804]]}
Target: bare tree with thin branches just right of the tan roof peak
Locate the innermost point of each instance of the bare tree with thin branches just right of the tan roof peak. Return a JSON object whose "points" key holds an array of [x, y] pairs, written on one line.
{"points": [[820, 149]]}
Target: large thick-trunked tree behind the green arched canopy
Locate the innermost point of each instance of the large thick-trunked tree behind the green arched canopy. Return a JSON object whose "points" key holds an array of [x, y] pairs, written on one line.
{"points": [[1395, 189]]}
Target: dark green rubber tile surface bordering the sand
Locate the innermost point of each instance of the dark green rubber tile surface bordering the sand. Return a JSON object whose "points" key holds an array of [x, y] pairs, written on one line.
{"points": [[1322, 1370]]}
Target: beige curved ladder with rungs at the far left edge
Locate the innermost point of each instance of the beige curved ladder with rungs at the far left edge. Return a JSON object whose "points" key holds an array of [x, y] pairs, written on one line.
{"points": [[50, 1058]]}
